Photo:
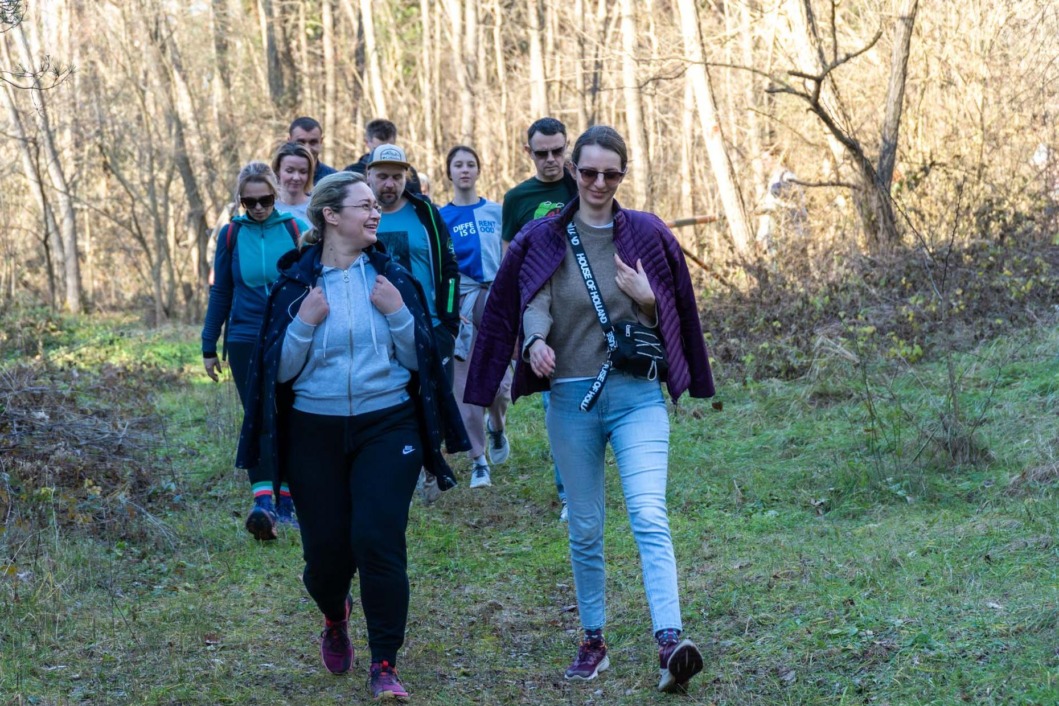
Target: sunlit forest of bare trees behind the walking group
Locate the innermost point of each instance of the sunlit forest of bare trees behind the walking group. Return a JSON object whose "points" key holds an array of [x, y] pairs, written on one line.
{"points": [[129, 120]]}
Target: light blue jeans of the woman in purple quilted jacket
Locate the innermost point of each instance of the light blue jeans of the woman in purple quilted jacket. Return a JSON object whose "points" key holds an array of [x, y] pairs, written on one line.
{"points": [[631, 414]]}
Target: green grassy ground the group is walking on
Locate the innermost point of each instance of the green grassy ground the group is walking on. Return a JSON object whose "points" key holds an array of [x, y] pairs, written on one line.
{"points": [[825, 556]]}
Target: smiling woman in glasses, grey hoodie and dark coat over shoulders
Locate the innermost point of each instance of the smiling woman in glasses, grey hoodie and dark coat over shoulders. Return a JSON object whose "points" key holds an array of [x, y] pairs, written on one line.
{"points": [[352, 402]]}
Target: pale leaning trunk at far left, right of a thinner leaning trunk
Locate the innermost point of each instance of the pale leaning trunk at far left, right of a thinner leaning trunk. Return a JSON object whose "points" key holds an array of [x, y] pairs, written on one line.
{"points": [[71, 265]]}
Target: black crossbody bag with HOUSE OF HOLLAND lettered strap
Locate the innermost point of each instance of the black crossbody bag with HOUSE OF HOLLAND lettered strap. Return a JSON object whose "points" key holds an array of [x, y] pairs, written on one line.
{"points": [[632, 348]]}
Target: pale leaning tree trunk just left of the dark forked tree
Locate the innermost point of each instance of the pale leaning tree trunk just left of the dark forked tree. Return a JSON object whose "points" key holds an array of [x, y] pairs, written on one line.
{"points": [[735, 211]]}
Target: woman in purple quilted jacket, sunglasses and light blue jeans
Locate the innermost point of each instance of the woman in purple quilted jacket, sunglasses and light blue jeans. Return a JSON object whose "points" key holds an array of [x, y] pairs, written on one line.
{"points": [[541, 299]]}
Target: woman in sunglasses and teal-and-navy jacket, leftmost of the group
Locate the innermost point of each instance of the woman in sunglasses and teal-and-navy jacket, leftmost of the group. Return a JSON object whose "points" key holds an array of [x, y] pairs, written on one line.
{"points": [[245, 269]]}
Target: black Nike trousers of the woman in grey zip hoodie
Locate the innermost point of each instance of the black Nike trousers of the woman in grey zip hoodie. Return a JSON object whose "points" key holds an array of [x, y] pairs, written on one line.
{"points": [[352, 480]]}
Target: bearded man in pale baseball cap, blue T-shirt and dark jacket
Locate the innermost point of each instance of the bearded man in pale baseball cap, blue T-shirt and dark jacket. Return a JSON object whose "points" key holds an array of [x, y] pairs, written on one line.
{"points": [[414, 233]]}
